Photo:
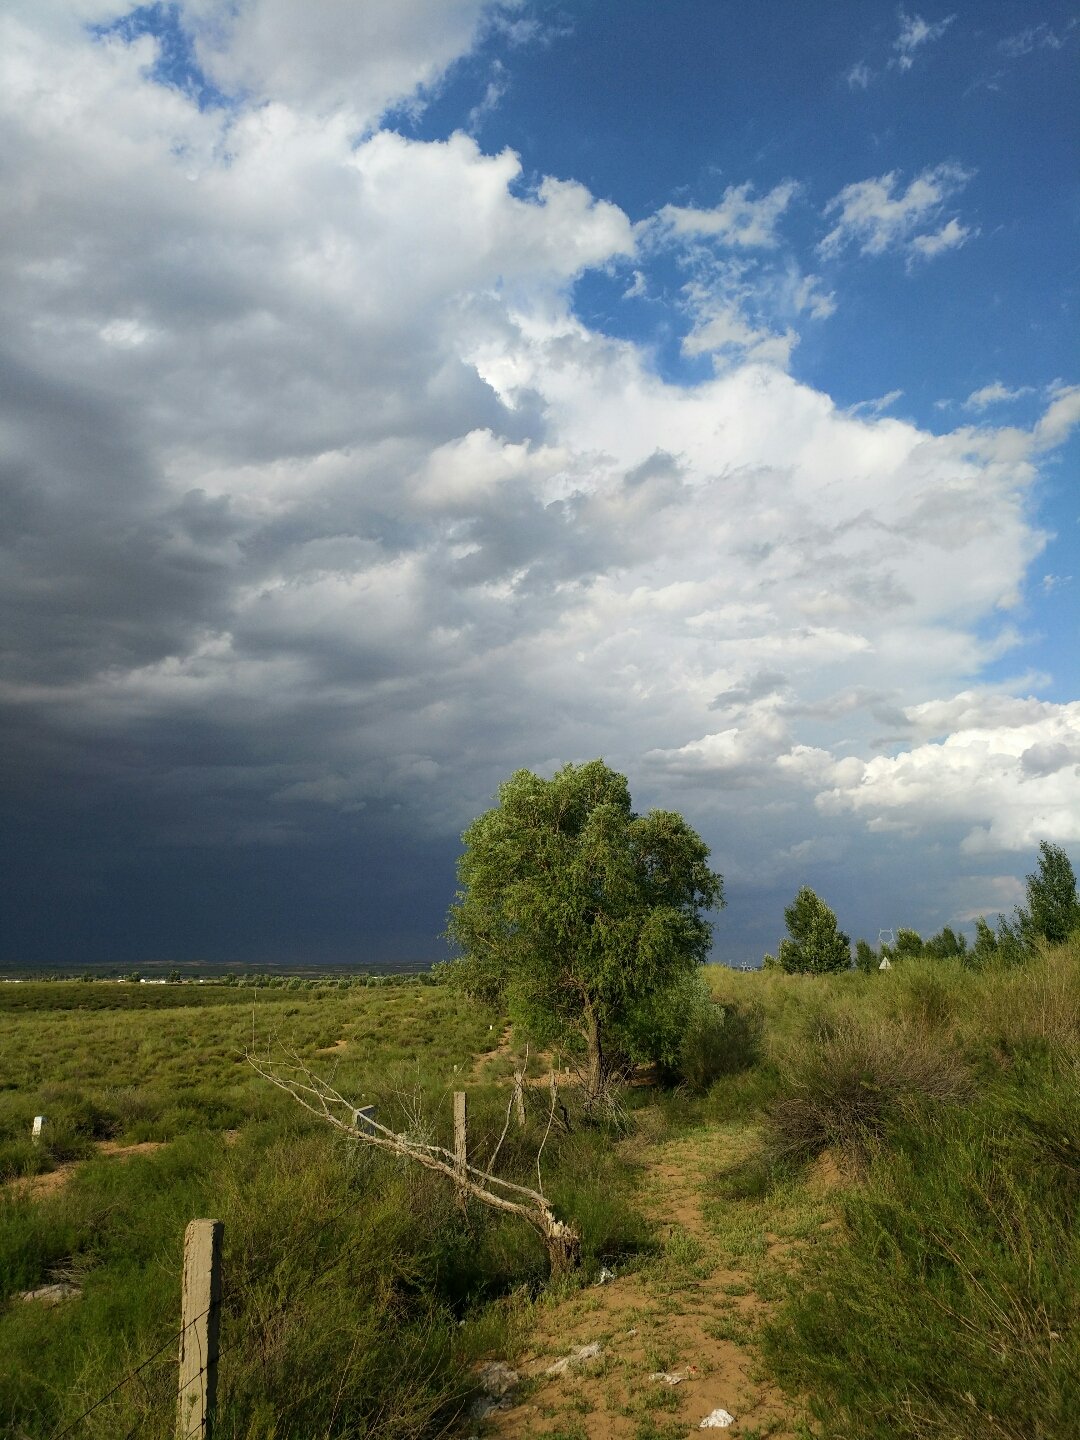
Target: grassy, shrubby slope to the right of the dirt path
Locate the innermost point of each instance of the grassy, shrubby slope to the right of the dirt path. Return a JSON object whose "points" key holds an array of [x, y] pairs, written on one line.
{"points": [[947, 1301]]}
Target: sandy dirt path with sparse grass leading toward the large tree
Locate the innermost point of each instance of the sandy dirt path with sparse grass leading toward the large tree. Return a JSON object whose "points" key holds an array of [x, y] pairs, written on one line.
{"points": [[689, 1315]]}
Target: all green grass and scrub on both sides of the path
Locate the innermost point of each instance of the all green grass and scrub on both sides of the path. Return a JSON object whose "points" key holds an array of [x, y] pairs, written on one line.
{"points": [[941, 1300]]}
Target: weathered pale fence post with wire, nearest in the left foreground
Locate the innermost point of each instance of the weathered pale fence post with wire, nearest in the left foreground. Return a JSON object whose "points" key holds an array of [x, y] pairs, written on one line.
{"points": [[201, 1317]]}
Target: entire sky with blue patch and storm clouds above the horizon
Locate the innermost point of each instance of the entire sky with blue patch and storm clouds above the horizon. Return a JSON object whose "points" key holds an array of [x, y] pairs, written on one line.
{"points": [[398, 395]]}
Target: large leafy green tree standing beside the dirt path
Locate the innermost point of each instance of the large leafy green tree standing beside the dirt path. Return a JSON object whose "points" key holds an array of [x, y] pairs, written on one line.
{"points": [[574, 911]]}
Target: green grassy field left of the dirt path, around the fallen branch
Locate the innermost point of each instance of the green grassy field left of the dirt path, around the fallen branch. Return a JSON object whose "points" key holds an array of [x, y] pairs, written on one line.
{"points": [[358, 1294]]}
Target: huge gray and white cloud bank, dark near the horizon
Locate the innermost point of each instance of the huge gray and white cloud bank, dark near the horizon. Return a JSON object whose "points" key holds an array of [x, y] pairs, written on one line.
{"points": [[320, 513]]}
